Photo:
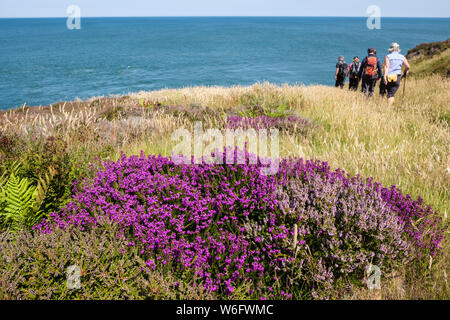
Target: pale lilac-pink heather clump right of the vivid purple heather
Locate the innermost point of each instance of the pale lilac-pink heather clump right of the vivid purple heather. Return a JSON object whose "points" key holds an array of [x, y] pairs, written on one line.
{"points": [[346, 226]]}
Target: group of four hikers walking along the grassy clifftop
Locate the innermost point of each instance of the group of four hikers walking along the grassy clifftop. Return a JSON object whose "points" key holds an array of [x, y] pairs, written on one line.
{"points": [[370, 70]]}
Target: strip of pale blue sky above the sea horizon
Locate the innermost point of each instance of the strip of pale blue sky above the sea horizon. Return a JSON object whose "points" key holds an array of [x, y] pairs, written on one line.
{"points": [[107, 8]]}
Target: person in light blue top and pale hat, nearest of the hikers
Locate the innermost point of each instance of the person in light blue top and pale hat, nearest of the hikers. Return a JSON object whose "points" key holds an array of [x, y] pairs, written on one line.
{"points": [[393, 71]]}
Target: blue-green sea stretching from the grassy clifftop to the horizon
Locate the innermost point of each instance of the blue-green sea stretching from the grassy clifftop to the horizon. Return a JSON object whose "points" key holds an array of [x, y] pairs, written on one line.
{"points": [[42, 62]]}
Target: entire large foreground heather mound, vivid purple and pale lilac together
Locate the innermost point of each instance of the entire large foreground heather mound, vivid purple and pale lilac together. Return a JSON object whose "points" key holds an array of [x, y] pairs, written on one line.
{"points": [[295, 234]]}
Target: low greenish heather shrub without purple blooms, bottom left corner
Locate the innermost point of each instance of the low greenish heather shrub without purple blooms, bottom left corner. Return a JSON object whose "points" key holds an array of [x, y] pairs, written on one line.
{"points": [[34, 266]]}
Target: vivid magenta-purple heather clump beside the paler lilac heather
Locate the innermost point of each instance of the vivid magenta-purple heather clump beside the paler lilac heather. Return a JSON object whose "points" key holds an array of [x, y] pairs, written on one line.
{"points": [[191, 217]]}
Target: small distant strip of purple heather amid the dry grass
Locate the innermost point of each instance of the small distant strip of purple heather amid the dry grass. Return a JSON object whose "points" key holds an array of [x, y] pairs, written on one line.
{"points": [[288, 123]]}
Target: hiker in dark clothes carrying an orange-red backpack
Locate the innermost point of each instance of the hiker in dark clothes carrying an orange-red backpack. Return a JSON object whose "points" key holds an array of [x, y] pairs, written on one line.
{"points": [[370, 72]]}
